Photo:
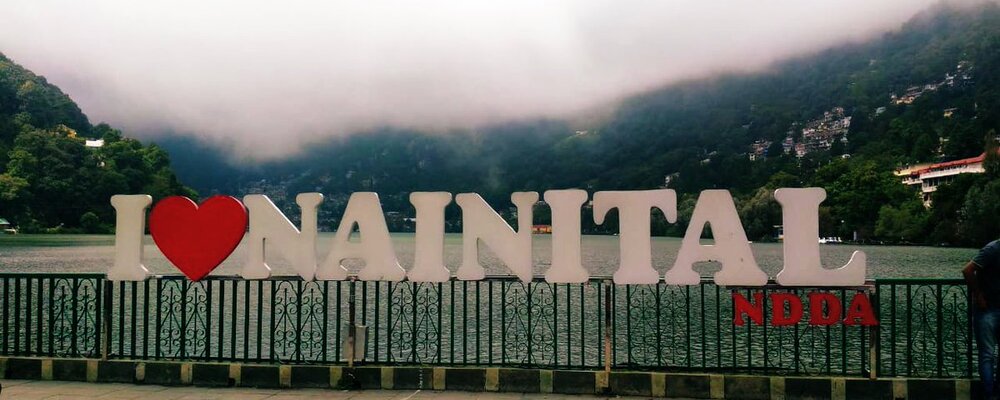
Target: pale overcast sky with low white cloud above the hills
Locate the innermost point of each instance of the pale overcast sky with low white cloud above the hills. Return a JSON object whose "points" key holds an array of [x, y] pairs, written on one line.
{"points": [[263, 78]]}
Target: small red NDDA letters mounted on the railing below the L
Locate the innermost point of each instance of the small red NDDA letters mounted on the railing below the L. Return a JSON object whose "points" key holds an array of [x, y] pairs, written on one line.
{"points": [[787, 309]]}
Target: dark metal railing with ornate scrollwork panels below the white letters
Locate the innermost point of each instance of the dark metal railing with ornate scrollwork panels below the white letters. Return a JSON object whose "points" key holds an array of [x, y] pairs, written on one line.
{"points": [[924, 331]]}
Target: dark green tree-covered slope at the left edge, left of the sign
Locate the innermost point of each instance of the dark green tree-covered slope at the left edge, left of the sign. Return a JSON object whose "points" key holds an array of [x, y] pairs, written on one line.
{"points": [[50, 180]]}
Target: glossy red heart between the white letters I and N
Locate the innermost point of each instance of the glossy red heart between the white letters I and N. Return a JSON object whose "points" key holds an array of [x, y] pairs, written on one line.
{"points": [[196, 238]]}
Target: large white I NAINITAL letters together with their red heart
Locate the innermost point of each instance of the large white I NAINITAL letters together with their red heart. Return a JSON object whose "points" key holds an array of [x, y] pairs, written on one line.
{"points": [[481, 223]]}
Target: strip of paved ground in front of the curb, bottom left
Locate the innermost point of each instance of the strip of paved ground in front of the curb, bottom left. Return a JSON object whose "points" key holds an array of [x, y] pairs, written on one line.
{"points": [[30, 390]]}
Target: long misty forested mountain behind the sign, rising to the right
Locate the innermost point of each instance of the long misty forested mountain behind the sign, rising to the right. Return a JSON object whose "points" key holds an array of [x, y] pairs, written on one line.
{"points": [[928, 92]]}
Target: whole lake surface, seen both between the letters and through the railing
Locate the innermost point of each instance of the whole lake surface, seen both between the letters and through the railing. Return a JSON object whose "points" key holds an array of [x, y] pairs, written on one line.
{"points": [[684, 312]]}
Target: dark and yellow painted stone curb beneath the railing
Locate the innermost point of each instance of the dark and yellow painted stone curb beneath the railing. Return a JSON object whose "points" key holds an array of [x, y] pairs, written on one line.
{"points": [[481, 379]]}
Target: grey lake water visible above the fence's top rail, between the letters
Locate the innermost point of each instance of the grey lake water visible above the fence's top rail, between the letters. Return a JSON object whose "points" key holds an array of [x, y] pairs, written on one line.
{"points": [[94, 253]]}
